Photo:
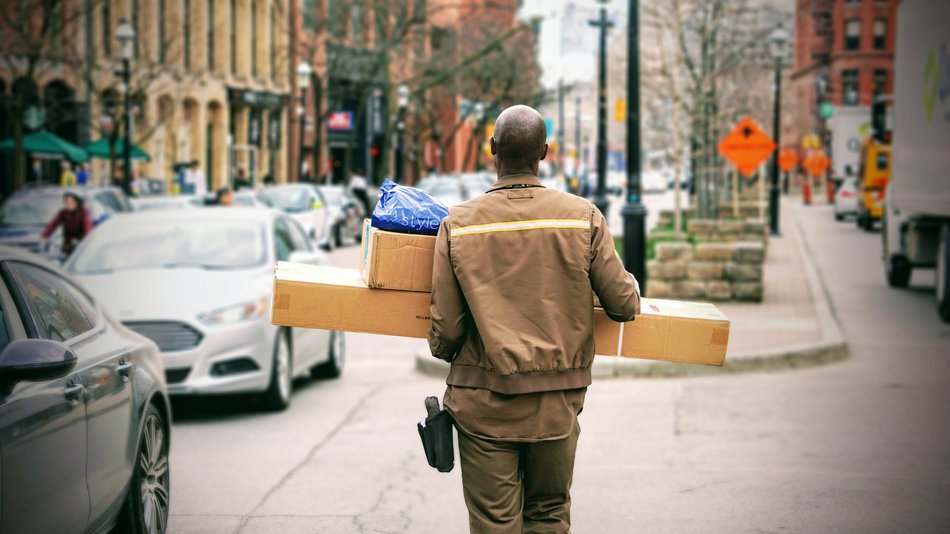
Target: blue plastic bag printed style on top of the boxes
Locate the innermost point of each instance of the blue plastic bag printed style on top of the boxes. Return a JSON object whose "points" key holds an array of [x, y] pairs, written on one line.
{"points": [[407, 210]]}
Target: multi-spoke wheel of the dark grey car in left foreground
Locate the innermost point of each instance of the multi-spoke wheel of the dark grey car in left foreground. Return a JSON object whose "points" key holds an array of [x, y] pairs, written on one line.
{"points": [[146, 505]]}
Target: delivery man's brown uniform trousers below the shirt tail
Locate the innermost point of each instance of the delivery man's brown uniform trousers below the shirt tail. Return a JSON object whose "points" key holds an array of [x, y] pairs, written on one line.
{"points": [[516, 487]]}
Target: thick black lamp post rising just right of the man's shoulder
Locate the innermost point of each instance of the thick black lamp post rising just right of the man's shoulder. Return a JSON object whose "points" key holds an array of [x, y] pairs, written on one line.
{"points": [[634, 212]]}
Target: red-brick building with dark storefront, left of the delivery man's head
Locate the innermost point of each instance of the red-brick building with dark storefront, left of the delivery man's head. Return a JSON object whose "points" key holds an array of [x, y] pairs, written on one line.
{"points": [[361, 51]]}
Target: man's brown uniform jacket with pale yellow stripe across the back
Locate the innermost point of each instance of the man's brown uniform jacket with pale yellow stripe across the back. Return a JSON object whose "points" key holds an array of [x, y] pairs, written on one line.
{"points": [[511, 288]]}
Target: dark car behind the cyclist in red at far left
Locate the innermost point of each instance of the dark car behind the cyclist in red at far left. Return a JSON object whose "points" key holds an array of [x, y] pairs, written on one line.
{"points": [[25, 213]]}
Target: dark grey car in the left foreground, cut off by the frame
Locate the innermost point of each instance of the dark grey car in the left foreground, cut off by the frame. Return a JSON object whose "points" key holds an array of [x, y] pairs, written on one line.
{"points": [[84, 416]]}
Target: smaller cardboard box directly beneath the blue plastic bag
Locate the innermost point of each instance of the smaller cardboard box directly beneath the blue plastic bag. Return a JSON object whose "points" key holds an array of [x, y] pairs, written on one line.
{"points": [[391, 260]]}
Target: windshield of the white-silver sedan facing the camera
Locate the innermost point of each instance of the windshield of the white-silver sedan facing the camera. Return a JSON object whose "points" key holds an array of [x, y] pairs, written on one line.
{"points": [[176, 243]]}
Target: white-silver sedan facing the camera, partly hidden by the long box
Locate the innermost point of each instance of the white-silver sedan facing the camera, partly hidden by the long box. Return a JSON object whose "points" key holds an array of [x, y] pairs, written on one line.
{"points": [[199, 283]]}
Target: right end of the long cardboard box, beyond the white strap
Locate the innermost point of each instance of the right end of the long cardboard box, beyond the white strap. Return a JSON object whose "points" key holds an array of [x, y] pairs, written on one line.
{"points": [[676, 331]]}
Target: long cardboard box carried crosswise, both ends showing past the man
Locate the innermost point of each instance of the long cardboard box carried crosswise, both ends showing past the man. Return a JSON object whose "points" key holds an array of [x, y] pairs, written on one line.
{"points": [[338, 299]]}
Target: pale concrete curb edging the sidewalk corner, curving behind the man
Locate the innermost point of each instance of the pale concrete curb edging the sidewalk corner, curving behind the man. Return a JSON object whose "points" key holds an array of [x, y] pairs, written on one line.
{"points": [[832, 348]]}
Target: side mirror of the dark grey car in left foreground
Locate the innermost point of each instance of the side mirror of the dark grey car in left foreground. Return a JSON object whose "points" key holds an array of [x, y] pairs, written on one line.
{"points": [[35, 360]]}
